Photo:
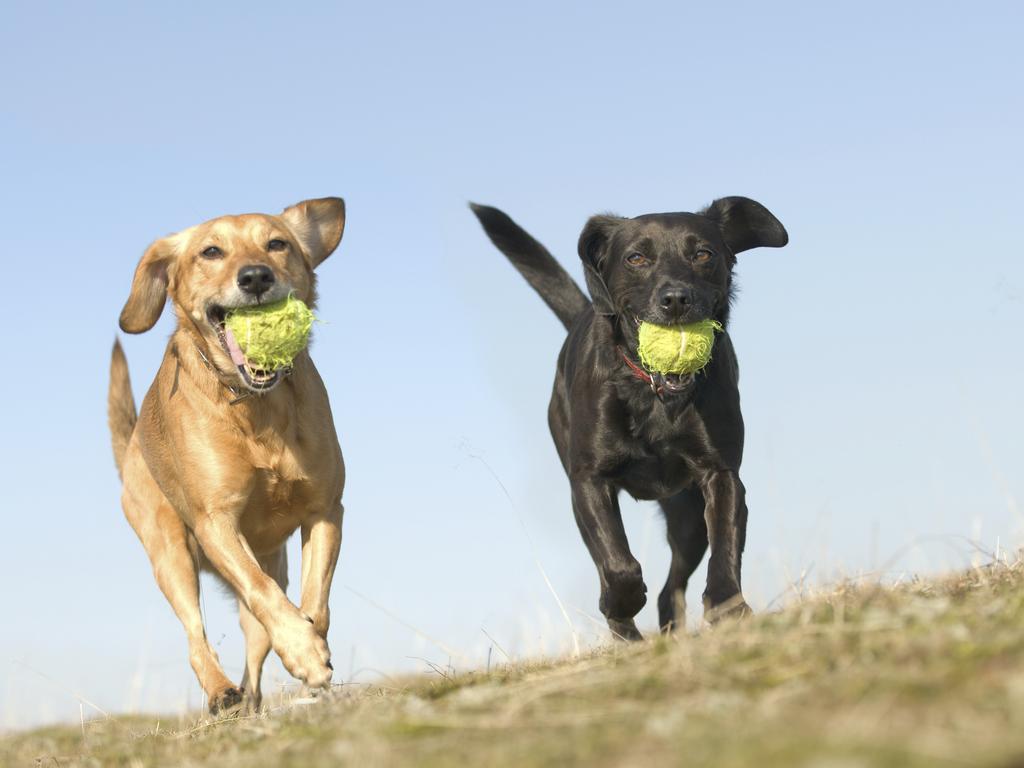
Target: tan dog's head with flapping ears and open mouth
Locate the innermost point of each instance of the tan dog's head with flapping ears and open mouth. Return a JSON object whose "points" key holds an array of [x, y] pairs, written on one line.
{"points": [[230, 263]]}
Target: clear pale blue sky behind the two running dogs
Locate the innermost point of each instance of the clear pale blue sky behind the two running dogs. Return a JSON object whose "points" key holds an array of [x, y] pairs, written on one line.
{"points": [[880, 351]]}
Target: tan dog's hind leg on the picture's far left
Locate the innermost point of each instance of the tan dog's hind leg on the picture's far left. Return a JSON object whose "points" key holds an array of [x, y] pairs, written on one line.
{"points": [[175, 565]]}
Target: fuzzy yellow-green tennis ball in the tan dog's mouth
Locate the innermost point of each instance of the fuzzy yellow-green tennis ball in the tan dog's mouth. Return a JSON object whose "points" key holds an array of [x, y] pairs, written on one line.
{"points": [[272, 335]]}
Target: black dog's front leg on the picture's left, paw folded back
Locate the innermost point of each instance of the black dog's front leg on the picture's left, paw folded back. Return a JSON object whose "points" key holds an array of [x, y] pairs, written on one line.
{"points": [[595, 503]]}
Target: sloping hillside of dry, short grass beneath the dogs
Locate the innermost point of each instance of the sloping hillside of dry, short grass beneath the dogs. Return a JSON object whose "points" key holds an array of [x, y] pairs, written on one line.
{"points": [[925, 674]]}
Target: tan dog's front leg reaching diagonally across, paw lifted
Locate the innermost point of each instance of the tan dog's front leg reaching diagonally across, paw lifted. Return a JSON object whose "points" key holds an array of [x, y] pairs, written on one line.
{"points": [[303, 651]]}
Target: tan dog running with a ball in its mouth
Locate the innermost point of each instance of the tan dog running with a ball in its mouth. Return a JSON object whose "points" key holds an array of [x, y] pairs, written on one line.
{"points": [[225, 462]]}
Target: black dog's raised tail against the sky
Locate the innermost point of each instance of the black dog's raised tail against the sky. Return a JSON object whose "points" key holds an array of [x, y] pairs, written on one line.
{"points": [[535, 263]]}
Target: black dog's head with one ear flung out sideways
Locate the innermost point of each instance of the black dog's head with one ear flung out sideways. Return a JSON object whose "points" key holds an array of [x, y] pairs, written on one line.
{"points": [[672, 269]]}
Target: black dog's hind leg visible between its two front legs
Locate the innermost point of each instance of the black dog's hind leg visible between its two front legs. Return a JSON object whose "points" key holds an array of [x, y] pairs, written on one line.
{"points": [[688, 532]]}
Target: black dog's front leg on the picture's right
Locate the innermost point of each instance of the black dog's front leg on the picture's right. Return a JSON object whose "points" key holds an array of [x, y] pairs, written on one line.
{"points": [[727, 516]]}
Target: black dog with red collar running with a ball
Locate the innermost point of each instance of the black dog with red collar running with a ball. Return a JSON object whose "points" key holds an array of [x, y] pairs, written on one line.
{"points": [[678, 440]]}
